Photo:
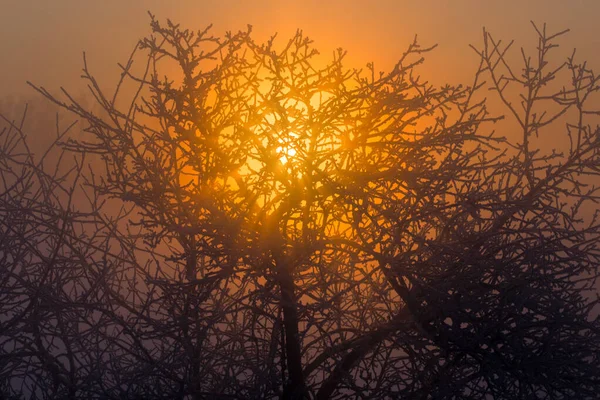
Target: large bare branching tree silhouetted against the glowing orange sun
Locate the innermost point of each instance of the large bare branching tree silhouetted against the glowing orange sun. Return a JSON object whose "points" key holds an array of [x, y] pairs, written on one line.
{"points": [[275, 228]]}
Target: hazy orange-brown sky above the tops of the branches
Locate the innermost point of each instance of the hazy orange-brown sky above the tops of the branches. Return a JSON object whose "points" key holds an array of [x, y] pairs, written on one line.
{"points": [[43, 40]]}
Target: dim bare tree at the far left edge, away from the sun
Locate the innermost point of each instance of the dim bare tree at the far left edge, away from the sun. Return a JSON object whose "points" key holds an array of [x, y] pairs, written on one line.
{"points": [[48, 329]]}
